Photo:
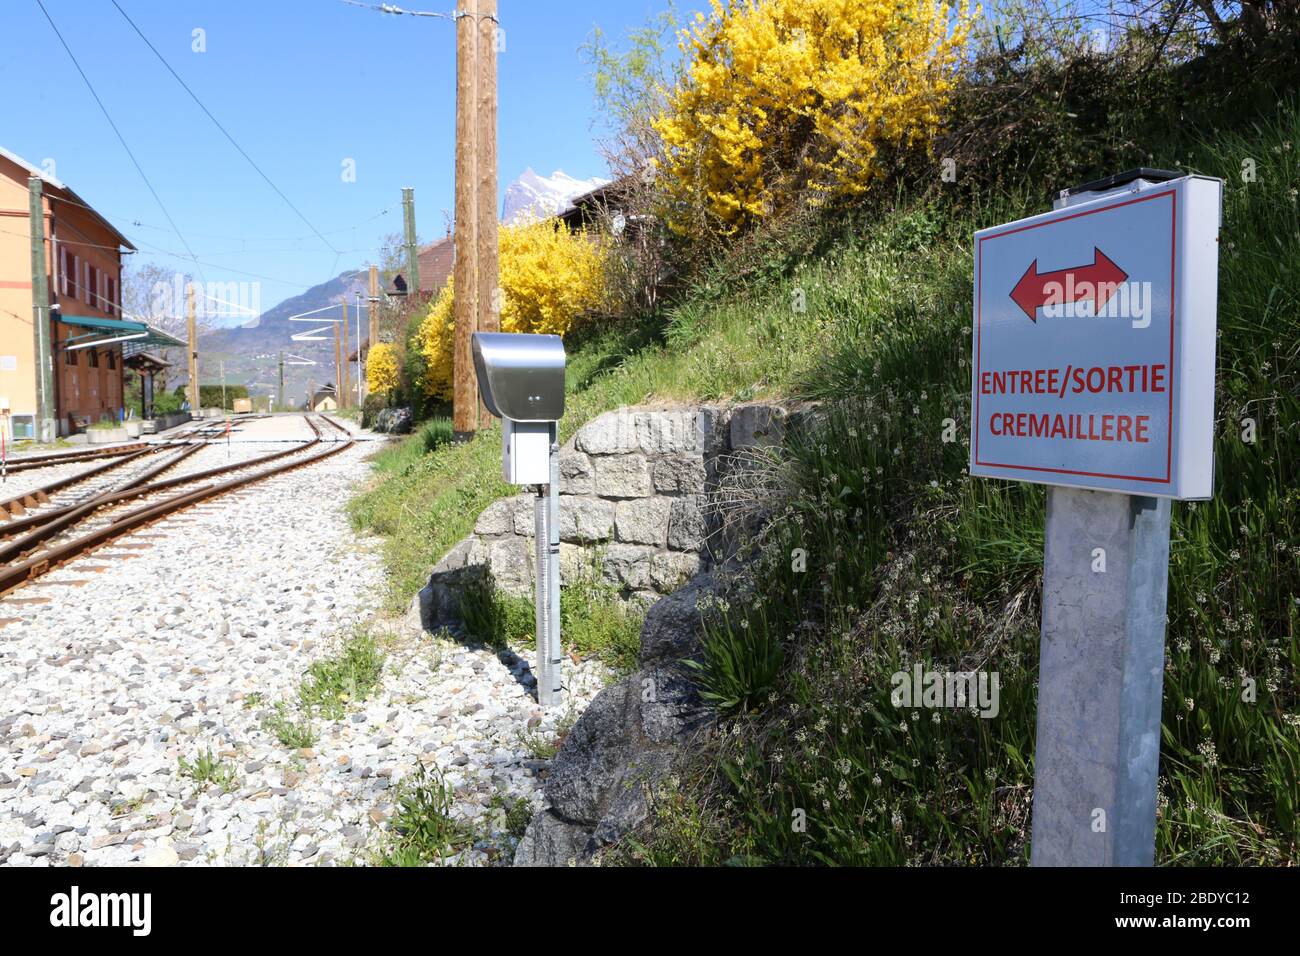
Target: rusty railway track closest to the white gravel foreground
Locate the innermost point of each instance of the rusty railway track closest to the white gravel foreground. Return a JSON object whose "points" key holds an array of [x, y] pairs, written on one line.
{"points": [[34, 544]]}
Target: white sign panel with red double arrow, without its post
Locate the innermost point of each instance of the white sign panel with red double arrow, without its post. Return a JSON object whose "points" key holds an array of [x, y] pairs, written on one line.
{"points": [[1094, 344]]}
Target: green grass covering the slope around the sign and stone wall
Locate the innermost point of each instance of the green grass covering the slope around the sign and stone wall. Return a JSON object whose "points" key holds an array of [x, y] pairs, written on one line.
{"points": [[909, 560]]}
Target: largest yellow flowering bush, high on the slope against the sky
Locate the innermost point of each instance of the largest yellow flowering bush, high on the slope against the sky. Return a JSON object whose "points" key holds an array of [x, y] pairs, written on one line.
{"points": [[785, 98]]}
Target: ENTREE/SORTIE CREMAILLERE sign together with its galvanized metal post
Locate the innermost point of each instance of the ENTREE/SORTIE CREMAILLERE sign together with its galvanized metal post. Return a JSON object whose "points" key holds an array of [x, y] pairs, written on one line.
{"points": [[1094, 373]]}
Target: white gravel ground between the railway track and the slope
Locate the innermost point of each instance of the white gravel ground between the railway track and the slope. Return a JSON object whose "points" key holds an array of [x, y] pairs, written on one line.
{"points": [[187, 648]]}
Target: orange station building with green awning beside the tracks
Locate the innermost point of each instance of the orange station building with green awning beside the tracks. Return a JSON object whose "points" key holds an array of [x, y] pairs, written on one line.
{"points": [[88, 332]]}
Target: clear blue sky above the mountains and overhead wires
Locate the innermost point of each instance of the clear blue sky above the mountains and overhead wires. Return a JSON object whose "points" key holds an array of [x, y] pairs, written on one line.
{"points": [[302, 86]]}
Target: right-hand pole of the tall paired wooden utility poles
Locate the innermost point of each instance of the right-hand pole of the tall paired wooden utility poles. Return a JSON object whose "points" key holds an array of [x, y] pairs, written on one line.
{"points": [[489, 287]]}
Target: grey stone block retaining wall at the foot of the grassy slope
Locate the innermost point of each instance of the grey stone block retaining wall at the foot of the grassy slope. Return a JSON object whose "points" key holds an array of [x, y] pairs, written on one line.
{"points": [[635, 492]]}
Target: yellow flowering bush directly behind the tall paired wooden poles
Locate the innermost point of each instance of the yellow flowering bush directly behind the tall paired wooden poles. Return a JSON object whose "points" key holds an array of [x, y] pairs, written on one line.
{"points": [[551, 279]]}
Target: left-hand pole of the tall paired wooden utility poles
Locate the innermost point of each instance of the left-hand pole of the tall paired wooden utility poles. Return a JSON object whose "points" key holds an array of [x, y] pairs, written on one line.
{"points": [[465, 382]]}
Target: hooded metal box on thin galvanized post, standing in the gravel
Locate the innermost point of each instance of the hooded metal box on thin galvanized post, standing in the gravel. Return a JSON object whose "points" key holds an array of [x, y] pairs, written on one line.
{"points": [[522, 382]]}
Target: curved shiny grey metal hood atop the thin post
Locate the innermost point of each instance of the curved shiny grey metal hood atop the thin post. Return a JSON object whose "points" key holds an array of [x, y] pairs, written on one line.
{"points": [[521, 378]]}
